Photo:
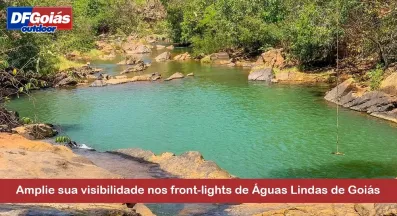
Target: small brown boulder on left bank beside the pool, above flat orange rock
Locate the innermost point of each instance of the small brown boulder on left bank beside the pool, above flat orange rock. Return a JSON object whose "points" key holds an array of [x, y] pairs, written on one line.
{"points": [[36, 131]]}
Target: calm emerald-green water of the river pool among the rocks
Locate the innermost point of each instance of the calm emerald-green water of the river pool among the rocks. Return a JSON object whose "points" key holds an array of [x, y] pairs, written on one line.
{"points": [[250, 129]]}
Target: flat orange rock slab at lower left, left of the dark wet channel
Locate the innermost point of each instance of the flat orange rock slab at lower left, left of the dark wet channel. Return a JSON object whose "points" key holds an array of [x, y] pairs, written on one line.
{"points": [[23, 158]]}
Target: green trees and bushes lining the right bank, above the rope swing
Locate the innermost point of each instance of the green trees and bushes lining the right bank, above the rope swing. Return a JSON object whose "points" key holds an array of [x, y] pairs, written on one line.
{"points": [[306, 29]]}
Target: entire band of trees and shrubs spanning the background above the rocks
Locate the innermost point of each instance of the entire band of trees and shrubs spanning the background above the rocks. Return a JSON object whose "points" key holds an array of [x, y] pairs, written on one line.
{"points": [[307, 30]]}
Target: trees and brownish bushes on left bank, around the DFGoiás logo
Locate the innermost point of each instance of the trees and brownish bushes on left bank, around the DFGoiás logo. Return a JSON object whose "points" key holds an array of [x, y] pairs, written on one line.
{"points": [[39, 52]]}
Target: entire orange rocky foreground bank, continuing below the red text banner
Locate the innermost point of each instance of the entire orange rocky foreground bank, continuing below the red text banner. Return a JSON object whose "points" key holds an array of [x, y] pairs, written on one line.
{"points": [[22, 158]]}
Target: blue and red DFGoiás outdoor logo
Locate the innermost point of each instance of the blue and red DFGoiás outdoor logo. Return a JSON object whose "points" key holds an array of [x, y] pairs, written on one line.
{"points": [[39, 19]]}
